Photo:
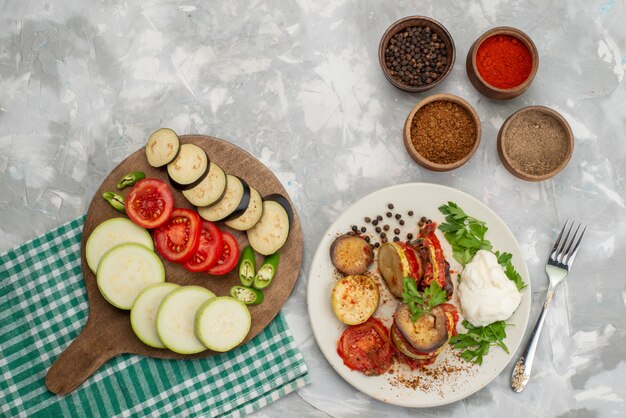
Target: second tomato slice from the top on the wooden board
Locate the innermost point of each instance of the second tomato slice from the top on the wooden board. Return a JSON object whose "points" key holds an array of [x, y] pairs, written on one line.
{"points": [[178, 239]]}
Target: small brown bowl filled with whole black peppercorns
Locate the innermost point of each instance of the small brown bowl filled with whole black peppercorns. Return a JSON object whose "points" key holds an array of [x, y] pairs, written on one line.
{"points": [[416, 53]]}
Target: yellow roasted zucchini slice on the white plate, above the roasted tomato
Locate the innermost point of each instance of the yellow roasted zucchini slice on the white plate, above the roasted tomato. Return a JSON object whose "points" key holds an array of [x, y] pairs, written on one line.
{"points": [[354, 299]]}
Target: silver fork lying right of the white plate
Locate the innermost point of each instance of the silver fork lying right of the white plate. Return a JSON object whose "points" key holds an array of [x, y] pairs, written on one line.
{"points": [[558, 266]]}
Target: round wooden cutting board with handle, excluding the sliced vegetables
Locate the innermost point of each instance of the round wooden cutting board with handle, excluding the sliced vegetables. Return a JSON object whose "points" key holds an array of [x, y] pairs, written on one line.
{"points": [[108, 332]]}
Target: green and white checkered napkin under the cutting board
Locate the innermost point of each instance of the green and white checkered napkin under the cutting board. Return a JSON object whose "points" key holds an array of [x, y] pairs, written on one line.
{"points": [[43, 307]]}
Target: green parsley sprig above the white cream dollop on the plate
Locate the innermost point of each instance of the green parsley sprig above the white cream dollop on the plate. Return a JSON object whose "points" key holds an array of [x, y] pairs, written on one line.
{"points": [[466, 236]]}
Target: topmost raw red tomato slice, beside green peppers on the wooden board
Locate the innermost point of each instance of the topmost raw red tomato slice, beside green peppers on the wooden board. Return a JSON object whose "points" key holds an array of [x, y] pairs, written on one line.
{"points": [[150, 203]]}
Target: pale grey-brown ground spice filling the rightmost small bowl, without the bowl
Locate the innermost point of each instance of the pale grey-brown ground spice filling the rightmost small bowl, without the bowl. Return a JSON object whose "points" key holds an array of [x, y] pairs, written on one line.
{"points": [[536, 143]]}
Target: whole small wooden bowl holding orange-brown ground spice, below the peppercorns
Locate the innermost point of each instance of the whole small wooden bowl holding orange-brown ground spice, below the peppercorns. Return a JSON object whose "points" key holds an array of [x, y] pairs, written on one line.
{"points": [[442, 132]]}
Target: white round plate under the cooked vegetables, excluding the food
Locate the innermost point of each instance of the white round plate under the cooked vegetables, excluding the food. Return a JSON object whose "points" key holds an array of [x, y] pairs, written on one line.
{"points": [[450, 379]]}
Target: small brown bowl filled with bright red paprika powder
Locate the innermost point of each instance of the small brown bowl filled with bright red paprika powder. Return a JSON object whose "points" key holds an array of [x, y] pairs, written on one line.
{"points": [[502, 63]]}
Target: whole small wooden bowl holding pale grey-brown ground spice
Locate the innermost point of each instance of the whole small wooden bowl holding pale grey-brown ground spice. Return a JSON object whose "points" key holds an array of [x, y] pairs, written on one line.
{"points": [[535, 143]]}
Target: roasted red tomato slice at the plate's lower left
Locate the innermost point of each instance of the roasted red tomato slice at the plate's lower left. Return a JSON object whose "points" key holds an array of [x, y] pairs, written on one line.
{"points": [[366, 347]]}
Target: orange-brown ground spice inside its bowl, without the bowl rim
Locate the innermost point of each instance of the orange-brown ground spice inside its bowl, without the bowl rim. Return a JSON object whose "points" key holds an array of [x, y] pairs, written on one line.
{"points": [[443, 132]]}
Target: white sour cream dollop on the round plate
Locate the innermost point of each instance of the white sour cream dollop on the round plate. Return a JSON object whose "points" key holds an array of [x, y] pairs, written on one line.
{"points": [[486, 295]]}
